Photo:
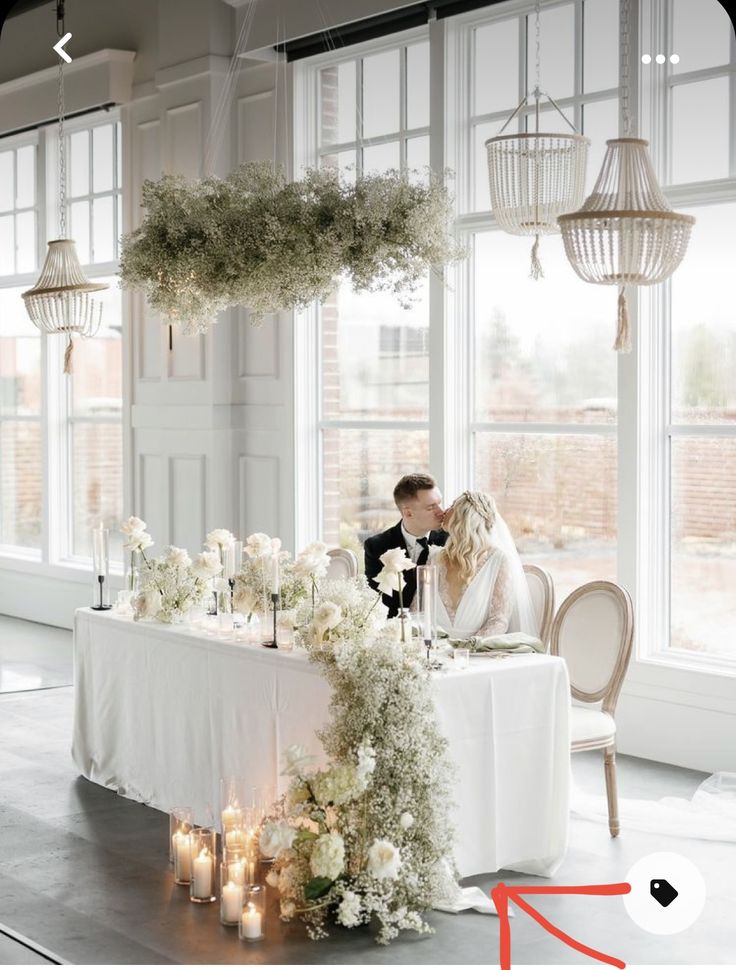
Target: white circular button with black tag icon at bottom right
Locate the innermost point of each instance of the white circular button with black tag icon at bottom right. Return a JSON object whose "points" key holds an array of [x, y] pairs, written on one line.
{"points": [[667, 893]]}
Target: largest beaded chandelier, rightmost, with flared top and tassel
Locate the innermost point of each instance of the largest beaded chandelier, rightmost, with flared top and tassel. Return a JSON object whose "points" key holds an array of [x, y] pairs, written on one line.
{"points": [[625, 233]]}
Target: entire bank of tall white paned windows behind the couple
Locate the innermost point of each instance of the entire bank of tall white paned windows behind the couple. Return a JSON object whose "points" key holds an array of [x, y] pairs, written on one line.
{"points": [[604, 465]]}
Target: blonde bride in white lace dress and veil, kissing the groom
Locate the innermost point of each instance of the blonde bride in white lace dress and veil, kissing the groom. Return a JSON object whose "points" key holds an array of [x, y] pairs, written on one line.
{"points": [[482, 586]]}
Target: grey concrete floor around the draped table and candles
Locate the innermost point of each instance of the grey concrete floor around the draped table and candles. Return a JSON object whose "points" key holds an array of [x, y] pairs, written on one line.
{"points": [[85, 874]]}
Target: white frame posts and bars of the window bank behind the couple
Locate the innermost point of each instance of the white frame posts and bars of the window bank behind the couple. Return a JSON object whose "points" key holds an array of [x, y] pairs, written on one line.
{"points": [[656, 672]]}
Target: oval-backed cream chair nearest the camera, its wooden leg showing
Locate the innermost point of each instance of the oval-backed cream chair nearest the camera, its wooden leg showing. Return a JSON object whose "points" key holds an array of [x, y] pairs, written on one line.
{"points": [[593, 632]]}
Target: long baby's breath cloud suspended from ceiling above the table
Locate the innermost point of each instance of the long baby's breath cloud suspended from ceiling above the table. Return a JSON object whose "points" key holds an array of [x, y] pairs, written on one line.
{"points": [[257, 240]]}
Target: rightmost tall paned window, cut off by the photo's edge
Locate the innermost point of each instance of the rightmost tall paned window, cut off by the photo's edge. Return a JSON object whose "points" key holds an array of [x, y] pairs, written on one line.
{"points": [[699, 330]]}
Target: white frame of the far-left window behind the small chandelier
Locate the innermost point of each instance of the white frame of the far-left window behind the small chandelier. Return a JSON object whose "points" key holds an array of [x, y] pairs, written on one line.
{"points": [[54, 558]]}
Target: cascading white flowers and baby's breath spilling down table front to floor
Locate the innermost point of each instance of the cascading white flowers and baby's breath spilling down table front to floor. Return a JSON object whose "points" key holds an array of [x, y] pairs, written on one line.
{"points": [[368, 838]]}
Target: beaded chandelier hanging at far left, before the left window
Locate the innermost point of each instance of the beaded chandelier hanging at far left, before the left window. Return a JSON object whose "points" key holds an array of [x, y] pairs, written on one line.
{"points": [[61, 300]]}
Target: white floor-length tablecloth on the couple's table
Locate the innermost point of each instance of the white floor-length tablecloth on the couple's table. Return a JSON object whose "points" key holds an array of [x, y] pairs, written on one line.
{"points": [[162, 713]]}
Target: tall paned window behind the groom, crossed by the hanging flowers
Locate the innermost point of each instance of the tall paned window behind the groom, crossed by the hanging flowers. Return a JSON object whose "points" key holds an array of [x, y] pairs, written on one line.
{"points": [[374, 362]]}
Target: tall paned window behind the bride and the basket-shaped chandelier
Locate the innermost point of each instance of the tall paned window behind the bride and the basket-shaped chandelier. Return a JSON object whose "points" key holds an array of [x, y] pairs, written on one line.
{"points": [[544, 407]]}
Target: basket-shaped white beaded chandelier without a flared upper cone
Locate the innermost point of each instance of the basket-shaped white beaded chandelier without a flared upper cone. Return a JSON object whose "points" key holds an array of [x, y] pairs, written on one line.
{"points": [[535, 176]]}
